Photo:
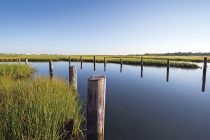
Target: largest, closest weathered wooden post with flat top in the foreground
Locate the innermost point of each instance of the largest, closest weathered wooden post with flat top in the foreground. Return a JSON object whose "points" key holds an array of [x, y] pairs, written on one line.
{"points": [[96, 107]]}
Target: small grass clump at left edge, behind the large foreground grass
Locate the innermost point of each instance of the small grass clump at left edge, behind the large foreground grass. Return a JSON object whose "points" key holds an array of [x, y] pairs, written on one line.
{"points": [[16, 71]]}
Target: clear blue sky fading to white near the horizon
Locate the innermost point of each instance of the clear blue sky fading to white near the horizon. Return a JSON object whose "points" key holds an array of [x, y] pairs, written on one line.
{"points": [[104, 26]]}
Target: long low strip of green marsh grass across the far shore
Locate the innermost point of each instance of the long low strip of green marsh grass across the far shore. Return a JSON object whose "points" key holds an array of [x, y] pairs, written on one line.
{"points": [[176, 61]]}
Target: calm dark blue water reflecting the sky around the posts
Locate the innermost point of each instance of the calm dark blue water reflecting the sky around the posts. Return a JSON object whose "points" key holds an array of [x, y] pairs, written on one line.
{"points": [[148, 107]]}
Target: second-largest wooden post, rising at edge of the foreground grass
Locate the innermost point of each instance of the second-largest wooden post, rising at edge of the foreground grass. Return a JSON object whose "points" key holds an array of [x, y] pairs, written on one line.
{"points": [[73, 76]]}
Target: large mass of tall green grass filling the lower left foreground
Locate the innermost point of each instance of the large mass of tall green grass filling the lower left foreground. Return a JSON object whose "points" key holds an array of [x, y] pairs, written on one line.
{"points": [[39, 109]]}
